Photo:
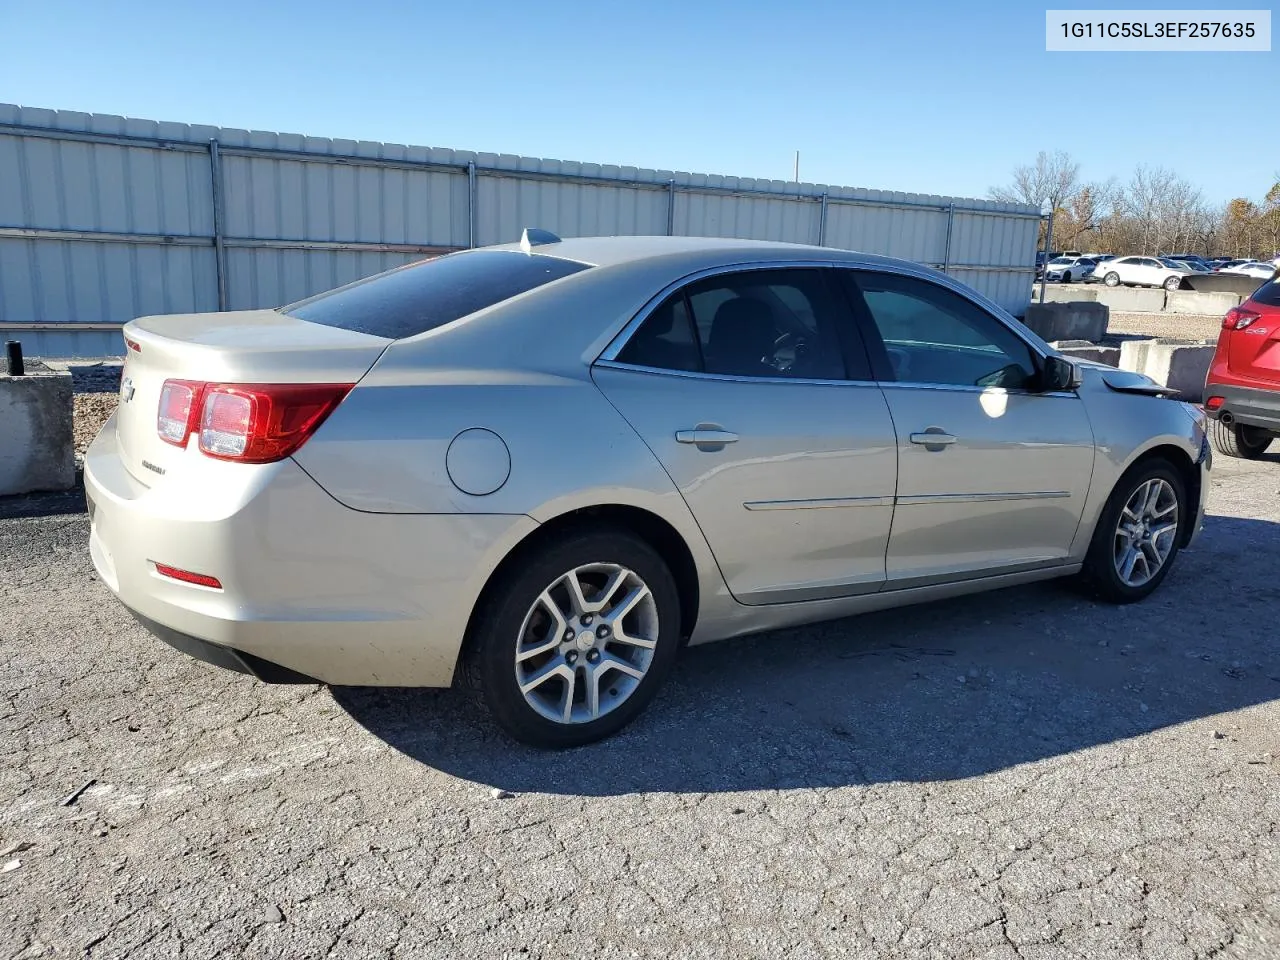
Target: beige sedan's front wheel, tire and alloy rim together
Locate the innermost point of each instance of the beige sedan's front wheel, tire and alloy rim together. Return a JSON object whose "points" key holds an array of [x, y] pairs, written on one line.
{"points": [[1139, 534]]}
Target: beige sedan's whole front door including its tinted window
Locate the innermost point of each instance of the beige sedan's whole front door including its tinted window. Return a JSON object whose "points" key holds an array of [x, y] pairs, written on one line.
{"points": [[993, 474]]}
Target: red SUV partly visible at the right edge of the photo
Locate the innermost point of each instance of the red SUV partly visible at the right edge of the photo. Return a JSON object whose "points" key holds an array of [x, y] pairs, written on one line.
{"points": [[1242, 391]]}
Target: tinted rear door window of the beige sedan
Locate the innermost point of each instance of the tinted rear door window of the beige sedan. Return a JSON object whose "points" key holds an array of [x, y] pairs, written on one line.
{"points": [[757, 323]]}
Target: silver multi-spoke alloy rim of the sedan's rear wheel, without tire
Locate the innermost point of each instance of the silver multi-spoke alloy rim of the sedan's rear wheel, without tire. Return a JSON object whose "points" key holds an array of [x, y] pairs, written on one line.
{"points": [[587, 643]]}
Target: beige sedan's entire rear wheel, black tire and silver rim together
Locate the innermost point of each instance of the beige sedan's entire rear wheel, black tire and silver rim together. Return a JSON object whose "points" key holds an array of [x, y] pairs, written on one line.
{"points": [[573, 642]]}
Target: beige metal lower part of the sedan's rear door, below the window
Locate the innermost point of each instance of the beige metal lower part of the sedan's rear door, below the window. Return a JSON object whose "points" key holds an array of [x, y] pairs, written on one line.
{"points": [[799, 505]]}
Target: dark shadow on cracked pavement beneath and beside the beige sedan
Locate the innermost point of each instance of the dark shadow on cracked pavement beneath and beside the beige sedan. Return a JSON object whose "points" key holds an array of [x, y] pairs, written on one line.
{"points": [[945, 691]]}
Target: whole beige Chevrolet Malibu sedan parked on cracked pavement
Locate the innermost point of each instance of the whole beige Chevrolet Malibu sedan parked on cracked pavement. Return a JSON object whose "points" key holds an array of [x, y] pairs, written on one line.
{"points": [[541, 469]]}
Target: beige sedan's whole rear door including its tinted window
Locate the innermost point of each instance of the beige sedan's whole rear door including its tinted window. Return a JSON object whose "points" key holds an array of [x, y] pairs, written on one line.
{"points": [[755, 394]]}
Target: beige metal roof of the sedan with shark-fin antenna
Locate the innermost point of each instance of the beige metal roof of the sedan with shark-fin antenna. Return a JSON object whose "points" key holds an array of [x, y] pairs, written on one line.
{"points": [[697, 253]]}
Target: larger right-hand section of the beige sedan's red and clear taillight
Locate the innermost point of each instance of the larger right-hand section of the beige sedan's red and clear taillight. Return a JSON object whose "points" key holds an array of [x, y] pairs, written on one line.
{"points": [[264, 423]]}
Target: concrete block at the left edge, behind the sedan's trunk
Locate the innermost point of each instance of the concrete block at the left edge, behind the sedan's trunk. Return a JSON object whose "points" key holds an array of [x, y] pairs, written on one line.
{"points": [[38, 451]]}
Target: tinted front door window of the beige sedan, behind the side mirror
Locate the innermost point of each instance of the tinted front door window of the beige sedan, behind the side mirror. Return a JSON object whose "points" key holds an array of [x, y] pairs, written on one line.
{"points": [[938, 337]]}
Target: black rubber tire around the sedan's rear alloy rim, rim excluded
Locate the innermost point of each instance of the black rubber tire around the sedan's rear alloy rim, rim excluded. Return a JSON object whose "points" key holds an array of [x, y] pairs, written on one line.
{"points": [[488, 664]]}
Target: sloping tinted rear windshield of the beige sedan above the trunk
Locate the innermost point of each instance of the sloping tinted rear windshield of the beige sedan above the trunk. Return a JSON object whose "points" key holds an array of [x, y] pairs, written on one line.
{"points": [[419, 298]]}
